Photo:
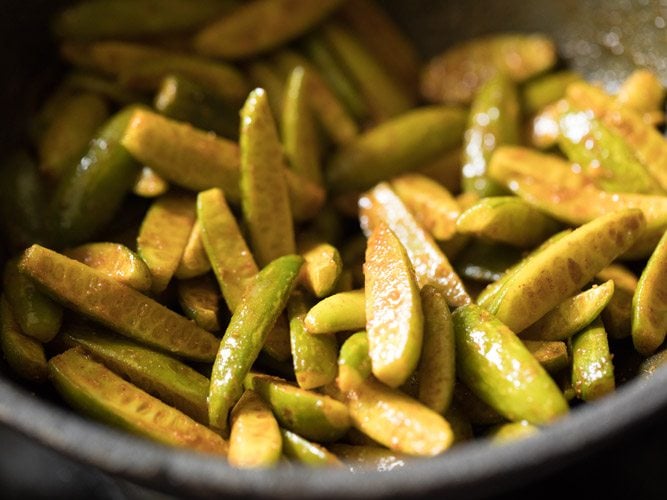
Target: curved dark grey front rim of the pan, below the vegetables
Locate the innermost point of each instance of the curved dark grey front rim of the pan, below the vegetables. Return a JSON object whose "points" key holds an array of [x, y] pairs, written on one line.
{"points": [[467, 469]]}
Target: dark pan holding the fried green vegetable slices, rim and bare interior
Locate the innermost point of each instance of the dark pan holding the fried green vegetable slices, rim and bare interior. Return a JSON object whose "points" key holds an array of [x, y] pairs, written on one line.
{"points": [[602, 39]]}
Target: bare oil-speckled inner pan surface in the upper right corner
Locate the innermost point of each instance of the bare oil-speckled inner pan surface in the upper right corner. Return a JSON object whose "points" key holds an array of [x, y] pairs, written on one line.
{"points": [[602, 39]]}
